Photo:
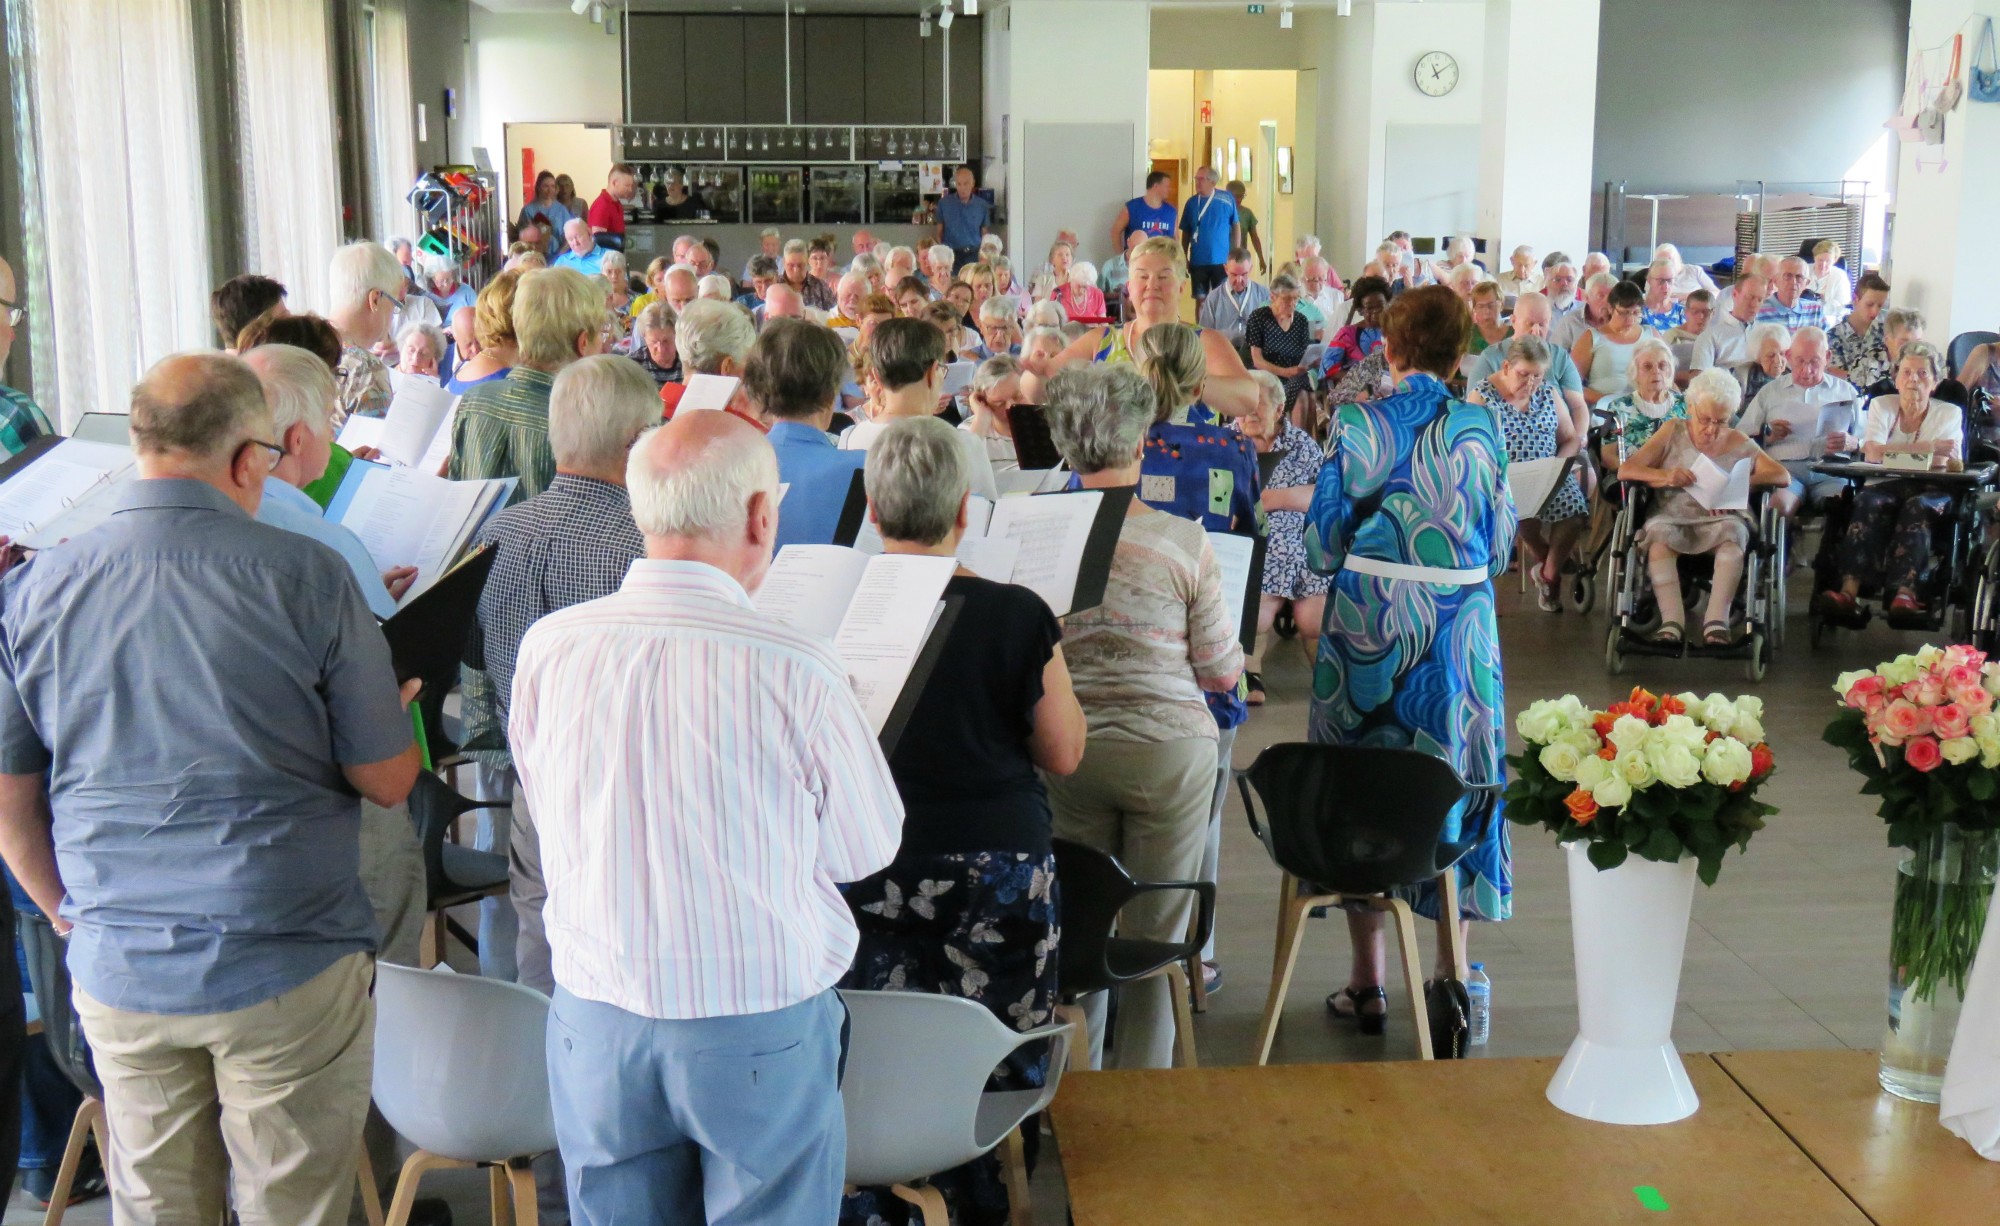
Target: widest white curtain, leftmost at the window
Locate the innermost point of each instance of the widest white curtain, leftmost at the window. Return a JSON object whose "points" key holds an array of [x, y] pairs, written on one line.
{"points": [[121, 193]]}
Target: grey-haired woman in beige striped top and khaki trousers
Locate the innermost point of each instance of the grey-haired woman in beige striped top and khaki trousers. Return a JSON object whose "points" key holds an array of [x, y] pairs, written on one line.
{"points": [[1143, 659]]}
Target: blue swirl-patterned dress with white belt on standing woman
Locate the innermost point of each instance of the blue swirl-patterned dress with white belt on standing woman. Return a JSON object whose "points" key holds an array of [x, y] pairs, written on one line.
{"points": [[1417, 479]]}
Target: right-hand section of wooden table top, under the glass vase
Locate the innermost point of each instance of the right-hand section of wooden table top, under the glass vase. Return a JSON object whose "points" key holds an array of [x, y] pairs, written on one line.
{"points": [[1889, 1155]]}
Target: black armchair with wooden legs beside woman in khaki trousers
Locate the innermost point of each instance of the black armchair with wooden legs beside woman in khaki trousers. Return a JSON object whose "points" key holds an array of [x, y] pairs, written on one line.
{"points": [[1091, 959]]}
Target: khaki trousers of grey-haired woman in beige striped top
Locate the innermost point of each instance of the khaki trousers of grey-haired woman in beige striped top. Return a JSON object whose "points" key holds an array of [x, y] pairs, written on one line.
{"points": [[1149, 807]]}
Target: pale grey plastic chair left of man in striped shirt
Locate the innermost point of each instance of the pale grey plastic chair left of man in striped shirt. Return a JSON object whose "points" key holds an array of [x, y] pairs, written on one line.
{"points": [[461, 1071]]}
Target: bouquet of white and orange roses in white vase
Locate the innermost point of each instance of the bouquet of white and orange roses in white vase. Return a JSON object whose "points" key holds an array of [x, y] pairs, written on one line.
{"points": [[1657, 777]]}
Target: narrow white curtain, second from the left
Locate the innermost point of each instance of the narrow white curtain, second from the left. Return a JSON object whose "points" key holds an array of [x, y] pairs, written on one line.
{"points": [[287, 145]]}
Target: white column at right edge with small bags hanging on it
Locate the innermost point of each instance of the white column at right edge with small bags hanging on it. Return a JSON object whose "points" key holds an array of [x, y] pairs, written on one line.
{"points": [[1947, 247]]}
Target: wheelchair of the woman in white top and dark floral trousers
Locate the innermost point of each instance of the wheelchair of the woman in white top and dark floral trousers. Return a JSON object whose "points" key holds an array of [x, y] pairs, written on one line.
{"points": [[1961, 591]]}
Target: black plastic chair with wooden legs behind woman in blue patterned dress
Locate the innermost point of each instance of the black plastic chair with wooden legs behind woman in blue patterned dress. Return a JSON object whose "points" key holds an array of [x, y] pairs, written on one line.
{"points": [[1351, 825]]}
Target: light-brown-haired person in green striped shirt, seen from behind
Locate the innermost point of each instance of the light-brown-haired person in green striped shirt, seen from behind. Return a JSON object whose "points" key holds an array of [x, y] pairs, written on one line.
{"points": [[501, 429]]}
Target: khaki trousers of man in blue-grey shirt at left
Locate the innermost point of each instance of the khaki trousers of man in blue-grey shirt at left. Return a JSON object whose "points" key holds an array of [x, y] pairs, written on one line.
{"points": [[269, 1097]]}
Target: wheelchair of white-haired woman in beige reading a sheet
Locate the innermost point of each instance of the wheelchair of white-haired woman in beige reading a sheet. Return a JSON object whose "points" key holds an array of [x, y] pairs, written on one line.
{"points": [[1759, 599]]}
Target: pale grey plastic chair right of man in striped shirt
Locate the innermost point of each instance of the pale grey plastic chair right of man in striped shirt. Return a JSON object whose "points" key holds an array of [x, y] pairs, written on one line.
{"points": [[917, 1099]]}
